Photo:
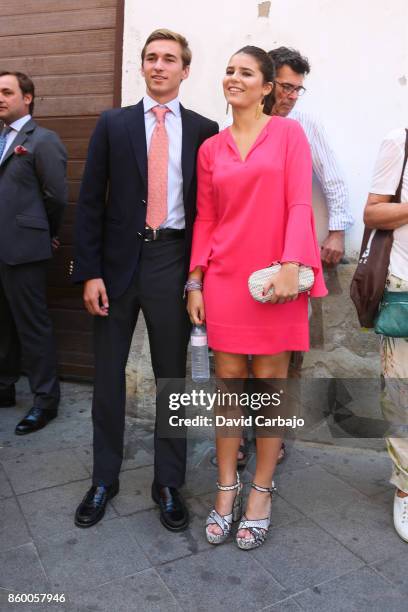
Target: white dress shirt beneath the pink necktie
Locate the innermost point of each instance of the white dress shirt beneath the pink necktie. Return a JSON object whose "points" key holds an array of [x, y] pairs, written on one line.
{"points": [[172, 119]]}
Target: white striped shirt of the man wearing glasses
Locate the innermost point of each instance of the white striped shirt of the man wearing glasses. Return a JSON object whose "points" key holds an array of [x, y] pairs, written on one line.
{"points": [[326, 170]]}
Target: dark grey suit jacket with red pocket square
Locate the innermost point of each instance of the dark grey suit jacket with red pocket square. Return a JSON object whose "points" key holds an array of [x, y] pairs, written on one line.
{"points": [[33, 194]]}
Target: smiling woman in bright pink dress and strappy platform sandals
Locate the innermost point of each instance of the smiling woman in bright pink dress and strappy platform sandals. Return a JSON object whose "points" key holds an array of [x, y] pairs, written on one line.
{"points": [[253, 208]]}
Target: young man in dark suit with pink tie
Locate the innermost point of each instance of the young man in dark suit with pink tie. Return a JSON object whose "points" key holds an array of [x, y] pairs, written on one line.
{"points": [[133, 239]]}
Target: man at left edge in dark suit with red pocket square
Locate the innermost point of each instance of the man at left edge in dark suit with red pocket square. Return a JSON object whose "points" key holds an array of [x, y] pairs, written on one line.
{"points": [[32, 199]]}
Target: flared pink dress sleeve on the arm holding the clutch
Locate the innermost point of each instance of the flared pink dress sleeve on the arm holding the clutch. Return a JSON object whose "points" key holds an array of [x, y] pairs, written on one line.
{"points": [[301, 243]]}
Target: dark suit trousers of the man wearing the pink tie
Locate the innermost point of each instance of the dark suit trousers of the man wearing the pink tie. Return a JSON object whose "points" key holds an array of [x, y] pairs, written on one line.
{"points": [[157, 290]]}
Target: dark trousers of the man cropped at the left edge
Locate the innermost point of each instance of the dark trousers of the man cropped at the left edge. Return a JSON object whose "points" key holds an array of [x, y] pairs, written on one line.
{"points": [[26, 338]]}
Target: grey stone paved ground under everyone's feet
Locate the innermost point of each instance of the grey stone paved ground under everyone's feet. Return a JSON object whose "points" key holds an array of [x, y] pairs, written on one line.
{"points": [[332, 545]]}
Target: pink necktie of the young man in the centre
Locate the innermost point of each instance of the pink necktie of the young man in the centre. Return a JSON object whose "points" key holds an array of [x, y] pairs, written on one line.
{"points": [[158, 160]]}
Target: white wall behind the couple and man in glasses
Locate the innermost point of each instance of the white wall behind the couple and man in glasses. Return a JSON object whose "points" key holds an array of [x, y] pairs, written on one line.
{"points": [[359, 55]]}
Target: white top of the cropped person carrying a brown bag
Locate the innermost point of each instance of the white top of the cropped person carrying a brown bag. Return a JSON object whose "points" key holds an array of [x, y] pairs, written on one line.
{"points": [[387, 175]]}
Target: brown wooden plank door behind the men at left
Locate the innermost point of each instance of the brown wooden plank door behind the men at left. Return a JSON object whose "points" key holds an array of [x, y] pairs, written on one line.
{"points": [[72, 49]]}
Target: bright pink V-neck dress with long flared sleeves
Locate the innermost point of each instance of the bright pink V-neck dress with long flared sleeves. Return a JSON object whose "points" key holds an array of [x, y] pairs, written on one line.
{"points": [[251, 213]]}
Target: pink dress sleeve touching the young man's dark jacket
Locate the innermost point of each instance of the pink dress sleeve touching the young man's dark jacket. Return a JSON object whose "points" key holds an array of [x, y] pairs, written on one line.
{"points": [[206, 219]]}
